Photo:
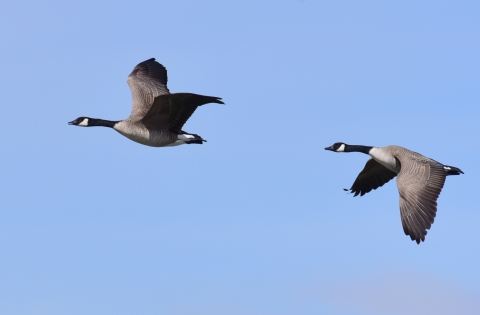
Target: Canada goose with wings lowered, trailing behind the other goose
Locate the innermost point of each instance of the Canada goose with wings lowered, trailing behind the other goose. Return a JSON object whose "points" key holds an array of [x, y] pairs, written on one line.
{"points": [[420, 181]]}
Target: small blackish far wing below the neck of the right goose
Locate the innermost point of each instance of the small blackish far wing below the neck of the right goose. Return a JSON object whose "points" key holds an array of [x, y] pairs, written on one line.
{"points": [[372, 176]]}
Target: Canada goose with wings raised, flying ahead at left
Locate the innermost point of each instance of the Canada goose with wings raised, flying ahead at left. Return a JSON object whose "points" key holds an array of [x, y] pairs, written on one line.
{"points": [[157, 116]]}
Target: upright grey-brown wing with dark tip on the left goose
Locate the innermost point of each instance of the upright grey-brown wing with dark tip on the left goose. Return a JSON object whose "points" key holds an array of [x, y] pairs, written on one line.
{"points": [[147, 81]]}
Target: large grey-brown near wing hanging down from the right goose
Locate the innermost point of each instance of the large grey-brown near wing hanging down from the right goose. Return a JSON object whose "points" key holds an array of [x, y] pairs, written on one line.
{"points": [[419, 184]]}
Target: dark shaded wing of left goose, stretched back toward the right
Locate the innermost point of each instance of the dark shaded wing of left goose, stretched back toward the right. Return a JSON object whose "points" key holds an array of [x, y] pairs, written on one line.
{"points": [[171, 111]]}
